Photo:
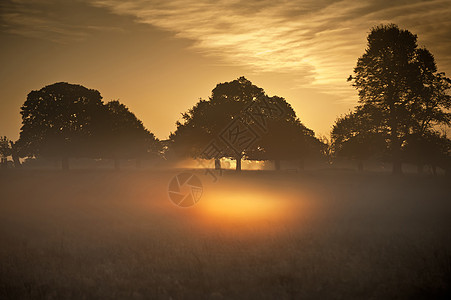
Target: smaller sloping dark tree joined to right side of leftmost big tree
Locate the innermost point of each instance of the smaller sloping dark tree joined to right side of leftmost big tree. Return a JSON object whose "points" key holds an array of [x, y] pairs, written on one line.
{"points": [[126, 137]]}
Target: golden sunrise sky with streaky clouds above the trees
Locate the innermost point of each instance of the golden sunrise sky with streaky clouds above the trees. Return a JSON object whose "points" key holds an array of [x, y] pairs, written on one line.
{"points": [[159, 57]]}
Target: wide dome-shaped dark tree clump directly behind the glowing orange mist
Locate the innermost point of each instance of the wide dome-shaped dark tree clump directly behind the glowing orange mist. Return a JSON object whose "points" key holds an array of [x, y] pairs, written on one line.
{"points": [[235, 113]]}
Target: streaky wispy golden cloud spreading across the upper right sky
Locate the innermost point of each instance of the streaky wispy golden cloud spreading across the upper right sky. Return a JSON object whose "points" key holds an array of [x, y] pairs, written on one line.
{"points": [[318, 42]]}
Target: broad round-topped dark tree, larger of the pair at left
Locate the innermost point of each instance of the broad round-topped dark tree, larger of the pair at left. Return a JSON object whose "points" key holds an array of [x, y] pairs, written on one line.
{"points": [[61, 120]]}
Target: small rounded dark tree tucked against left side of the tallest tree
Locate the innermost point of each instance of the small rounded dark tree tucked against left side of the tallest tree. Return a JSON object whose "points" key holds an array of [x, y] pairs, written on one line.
{"points": [[359, 136]]}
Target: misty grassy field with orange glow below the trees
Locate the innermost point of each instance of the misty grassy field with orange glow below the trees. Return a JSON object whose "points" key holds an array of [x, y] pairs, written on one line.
{"points": [[313, 235]]}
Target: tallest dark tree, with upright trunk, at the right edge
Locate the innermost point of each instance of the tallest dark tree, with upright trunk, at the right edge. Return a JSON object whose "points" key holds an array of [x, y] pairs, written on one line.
{"points": [[401, 83]]}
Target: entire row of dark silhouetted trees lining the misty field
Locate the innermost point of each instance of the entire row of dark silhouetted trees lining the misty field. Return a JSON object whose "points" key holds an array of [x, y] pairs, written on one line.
{"points": [[402, 101]]}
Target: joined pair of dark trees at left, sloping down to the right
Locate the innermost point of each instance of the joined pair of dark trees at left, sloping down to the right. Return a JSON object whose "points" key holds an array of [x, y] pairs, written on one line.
{"points": [[67, 120]]}
